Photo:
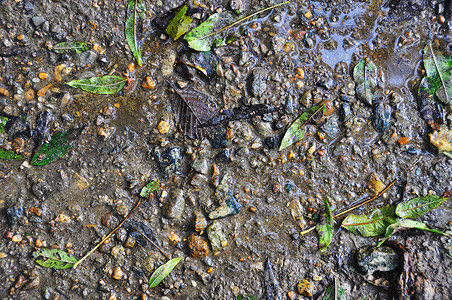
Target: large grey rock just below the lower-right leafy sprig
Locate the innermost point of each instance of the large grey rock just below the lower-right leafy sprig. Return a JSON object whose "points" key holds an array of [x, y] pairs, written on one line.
{"points": [[383, 259]]}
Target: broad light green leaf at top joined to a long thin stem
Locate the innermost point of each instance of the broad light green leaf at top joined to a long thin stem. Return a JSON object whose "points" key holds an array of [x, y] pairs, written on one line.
{"points": [[203, 37]]}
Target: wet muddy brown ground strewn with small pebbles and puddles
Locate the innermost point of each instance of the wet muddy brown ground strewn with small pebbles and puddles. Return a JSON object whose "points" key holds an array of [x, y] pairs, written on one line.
{"points": [[289, 58]]}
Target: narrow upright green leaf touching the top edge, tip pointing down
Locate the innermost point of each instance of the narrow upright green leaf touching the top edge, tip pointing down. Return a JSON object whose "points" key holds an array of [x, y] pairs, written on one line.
{"points": [[136, 11]]}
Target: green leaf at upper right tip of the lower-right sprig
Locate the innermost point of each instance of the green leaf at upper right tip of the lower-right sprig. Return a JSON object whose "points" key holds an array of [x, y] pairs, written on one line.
{"points": [[418, 206]]}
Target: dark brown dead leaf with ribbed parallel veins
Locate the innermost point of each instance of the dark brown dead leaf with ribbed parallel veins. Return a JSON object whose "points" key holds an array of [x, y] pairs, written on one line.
{"points": [[192, 109]]}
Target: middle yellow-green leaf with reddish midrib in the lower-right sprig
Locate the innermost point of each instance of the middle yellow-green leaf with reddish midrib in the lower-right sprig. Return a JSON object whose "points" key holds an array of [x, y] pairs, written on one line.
{"points": [[373, 224]]}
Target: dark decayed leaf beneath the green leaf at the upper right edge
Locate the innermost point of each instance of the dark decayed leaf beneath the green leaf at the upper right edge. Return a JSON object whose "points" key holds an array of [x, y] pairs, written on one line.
{"points": [[431, 110]]}
